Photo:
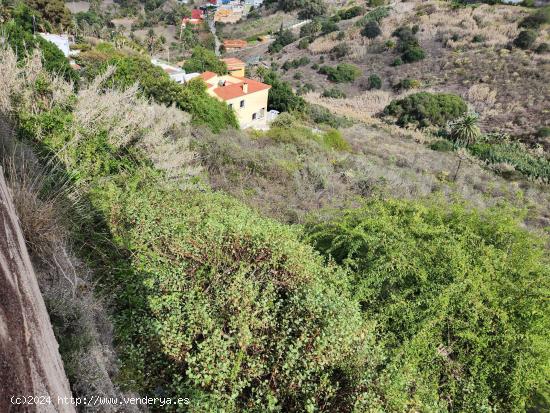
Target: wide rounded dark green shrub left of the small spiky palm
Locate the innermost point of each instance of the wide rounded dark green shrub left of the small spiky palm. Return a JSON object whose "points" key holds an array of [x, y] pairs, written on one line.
{"points": [[426, 108]]}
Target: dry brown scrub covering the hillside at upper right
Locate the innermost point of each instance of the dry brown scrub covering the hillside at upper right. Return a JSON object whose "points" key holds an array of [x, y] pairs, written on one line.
{"points": [[509, 88]]}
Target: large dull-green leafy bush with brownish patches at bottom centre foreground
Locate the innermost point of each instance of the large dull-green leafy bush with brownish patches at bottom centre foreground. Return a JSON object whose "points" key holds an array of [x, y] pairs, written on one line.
{"points": [[228, 300]]}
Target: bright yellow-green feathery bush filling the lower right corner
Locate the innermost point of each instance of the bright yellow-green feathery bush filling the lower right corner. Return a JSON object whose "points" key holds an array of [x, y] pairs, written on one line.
{"points": [[460, 300]]}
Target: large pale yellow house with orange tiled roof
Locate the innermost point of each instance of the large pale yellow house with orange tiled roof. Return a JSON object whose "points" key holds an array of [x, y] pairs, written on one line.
{"points": [[247, 97]]}
